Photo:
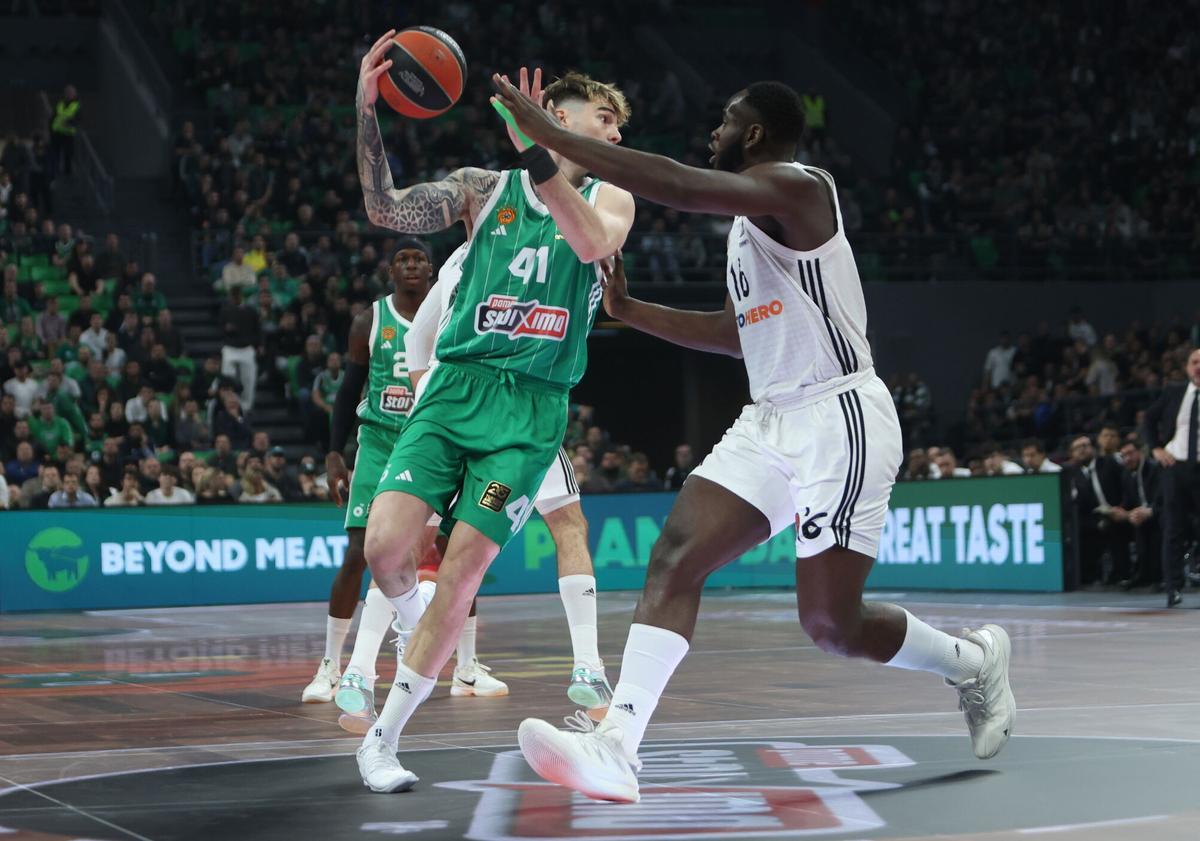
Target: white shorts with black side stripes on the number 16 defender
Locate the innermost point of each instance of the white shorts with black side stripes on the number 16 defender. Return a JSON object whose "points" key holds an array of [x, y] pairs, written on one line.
{"points": [[827, 467]]}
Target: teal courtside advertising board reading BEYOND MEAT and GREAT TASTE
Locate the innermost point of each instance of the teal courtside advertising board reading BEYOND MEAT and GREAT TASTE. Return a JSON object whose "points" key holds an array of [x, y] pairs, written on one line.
{"points": [[987, 534]]}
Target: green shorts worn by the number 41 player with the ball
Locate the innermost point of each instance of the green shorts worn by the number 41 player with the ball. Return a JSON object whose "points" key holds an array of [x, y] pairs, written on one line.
{"points": [[484, 435]]}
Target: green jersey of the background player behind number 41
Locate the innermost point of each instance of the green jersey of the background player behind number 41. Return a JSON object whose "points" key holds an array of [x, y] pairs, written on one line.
{"points": [[389, 395]]}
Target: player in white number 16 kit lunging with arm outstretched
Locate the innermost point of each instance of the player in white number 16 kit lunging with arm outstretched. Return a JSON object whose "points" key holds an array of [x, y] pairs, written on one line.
{"points": [[820, 444]]}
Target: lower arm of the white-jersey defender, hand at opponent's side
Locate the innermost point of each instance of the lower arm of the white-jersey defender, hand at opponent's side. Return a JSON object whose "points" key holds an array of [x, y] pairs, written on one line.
{"points": [[712, 332]]}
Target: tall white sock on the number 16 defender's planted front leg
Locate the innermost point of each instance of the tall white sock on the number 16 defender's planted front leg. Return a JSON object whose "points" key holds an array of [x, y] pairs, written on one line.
{"points": [[652, 656]]}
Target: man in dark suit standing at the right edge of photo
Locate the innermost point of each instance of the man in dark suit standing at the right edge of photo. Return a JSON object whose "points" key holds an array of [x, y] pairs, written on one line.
{"points": [[1173, 431]]}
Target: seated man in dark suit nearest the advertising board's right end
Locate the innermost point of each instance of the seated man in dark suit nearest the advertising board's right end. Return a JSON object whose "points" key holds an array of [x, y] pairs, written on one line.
{"points": [[1097, 489]]}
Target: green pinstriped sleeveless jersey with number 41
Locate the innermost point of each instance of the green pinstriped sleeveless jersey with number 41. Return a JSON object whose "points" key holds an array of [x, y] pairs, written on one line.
{"points": [[526, 303]]}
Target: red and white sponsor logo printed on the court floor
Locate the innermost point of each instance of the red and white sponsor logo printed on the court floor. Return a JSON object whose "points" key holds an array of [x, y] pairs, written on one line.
{"points": [[695, 790]]}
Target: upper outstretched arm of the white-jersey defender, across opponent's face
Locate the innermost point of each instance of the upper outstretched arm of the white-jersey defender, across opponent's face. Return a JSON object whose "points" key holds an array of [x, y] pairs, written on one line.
{"points": [[766, 190]]}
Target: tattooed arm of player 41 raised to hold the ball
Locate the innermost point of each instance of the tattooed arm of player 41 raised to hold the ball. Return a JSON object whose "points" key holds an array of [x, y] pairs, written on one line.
{"points": [[423, 208]]}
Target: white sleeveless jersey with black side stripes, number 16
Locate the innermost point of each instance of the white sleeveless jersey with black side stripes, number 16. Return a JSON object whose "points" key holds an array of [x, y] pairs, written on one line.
{"points": [[802, 319]]}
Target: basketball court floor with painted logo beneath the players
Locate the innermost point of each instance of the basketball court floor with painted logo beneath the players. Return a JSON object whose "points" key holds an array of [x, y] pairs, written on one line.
{"points": [[187, 724]]}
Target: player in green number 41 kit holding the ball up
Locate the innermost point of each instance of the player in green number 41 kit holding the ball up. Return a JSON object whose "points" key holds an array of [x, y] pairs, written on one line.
{"points": [[493, 418]]}
